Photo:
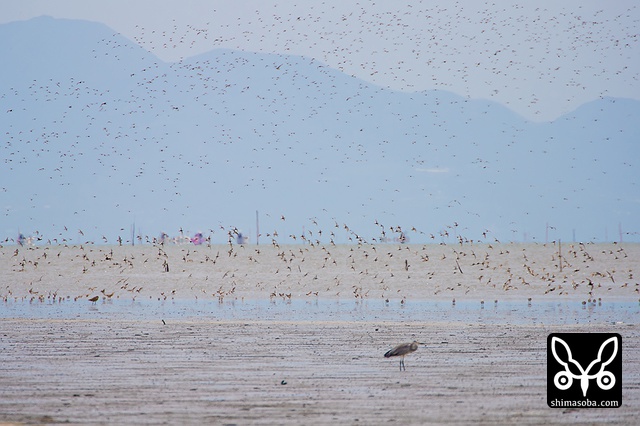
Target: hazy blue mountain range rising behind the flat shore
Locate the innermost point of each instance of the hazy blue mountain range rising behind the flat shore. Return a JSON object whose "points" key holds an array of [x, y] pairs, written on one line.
{"points": [[98, 133]]}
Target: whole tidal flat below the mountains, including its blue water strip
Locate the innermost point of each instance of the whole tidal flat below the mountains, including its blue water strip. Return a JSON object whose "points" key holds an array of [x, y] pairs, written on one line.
{"points": [[268, 353]]}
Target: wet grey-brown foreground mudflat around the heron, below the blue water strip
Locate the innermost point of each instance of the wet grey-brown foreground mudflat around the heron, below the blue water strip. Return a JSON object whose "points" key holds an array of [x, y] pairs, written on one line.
{"points": [[272, 372]]}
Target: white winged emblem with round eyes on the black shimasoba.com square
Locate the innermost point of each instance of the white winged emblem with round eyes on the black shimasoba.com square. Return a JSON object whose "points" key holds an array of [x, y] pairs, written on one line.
{"points": [[564, 379]]}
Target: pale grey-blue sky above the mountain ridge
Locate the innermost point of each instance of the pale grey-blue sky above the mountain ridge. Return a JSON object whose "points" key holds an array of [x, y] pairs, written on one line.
{"points": [[541, 59]]}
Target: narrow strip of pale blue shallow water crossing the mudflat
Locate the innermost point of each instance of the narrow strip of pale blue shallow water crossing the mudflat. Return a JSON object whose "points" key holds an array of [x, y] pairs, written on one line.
{"points": [[507, 312]]}
